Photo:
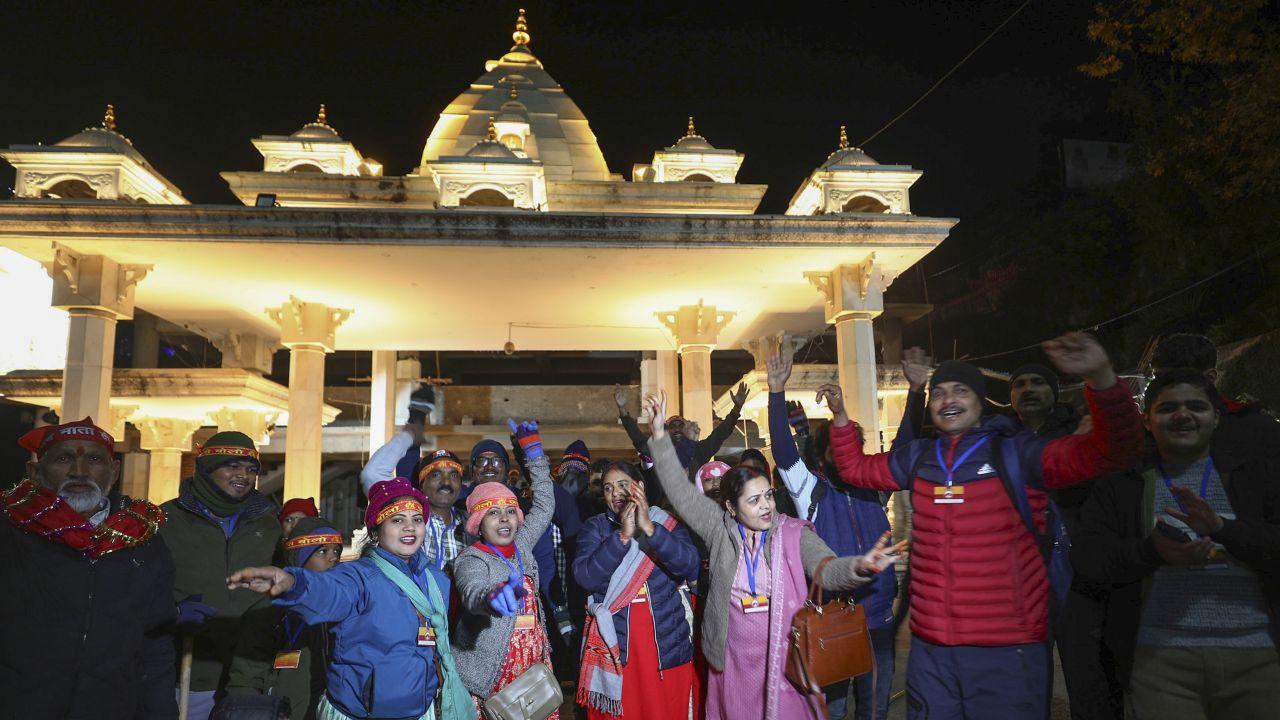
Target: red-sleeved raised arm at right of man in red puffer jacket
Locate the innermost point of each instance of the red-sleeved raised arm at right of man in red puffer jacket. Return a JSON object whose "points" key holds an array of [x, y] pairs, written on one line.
{"points": [[1117, 439]]}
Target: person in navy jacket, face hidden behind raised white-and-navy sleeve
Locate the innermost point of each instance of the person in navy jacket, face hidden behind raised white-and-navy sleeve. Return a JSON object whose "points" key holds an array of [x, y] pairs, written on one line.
{"points": [[851, 521]]}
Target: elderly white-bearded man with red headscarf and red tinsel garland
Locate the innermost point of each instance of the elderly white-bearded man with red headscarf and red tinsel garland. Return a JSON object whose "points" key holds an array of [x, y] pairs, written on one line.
{"points": [[86, 589]]}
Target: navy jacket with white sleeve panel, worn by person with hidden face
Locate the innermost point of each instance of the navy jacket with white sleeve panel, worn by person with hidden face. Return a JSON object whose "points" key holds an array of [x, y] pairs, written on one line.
{"points": [[848, 520]]}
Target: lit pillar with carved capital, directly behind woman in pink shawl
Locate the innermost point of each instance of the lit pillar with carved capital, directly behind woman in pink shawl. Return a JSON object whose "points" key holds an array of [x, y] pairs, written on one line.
{"points": [[696, 329]]}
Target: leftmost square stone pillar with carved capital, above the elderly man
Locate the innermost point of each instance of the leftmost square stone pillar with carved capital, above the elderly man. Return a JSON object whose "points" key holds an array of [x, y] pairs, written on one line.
{"points": [[97, 293]]}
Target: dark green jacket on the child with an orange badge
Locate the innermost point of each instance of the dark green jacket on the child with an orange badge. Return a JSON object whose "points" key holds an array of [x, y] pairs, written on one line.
{"points": [[264, 635]]}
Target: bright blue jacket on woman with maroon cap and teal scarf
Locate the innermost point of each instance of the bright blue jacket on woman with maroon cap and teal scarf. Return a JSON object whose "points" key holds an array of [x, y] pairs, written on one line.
{"points": [[378, 671]]}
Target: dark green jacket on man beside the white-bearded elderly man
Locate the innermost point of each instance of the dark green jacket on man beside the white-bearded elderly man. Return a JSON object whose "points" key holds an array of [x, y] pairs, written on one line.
{"points": [[204, 557]]}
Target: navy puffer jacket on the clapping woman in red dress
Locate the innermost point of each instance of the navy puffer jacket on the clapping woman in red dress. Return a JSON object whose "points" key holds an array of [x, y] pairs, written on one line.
{"points": [[601, 552]]}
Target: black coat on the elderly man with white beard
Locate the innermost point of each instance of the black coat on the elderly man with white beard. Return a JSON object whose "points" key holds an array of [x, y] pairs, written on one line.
{"points": [[83, 639]]}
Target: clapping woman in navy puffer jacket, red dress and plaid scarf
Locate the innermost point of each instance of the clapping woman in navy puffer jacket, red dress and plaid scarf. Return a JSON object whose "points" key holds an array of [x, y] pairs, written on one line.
{"points": [[636, 560]]}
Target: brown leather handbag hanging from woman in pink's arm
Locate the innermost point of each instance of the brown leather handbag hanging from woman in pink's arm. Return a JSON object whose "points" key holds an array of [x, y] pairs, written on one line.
{"points": [[829, 642]]}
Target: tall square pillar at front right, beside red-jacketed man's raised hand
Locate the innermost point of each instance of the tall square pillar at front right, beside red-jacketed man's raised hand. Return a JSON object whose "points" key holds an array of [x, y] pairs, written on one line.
{"points": [[854, 297]]}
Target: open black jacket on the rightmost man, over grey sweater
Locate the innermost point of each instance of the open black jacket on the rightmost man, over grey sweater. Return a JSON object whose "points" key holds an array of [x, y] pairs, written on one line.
{"points": [[1114, 544]]}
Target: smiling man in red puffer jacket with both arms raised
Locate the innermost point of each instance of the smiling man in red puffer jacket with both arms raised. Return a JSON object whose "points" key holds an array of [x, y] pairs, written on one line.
{"points": [[980, 586]]}
